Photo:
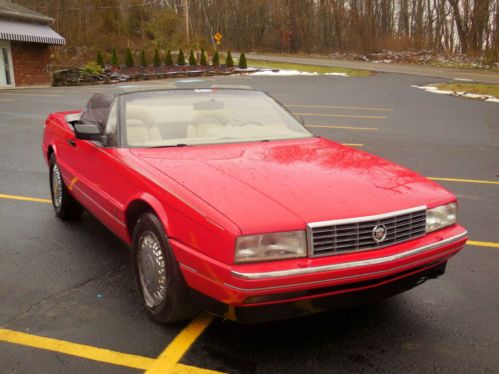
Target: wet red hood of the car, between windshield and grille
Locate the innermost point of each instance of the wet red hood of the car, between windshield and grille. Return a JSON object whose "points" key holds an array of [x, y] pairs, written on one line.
{"points": [[282, 185]]}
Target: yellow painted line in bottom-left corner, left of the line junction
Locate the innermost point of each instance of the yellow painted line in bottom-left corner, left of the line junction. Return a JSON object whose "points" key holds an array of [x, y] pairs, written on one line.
{"points": [[74, 349]]}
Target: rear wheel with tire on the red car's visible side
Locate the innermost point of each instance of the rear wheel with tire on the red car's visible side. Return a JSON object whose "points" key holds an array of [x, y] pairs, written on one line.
{"points": [[65, 206]]}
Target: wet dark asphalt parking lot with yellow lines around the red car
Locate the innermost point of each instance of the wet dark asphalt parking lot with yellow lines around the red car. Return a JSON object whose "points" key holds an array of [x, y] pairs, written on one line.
{"points": [[68, 302]]}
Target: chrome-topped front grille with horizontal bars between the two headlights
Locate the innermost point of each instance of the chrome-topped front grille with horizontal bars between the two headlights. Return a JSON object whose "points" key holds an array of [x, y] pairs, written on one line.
{"points": [[329, 238]]}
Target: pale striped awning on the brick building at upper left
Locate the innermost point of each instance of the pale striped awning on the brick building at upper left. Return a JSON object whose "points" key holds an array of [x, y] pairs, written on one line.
{"points": [[29, 32]]}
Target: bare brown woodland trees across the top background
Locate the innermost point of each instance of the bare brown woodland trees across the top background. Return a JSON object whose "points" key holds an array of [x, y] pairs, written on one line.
{"points": [[470, 26]]}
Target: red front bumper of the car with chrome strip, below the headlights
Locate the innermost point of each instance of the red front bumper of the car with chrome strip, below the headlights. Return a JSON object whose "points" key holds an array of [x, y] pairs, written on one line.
{"points": [[282, 289]]}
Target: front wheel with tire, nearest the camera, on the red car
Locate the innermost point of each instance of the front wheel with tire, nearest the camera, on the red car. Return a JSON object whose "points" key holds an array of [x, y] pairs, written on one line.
{"points": [[161, 284]]}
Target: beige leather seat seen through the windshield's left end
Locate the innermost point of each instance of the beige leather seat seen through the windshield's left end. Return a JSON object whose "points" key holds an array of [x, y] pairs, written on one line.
{"points": [[140, 128]]}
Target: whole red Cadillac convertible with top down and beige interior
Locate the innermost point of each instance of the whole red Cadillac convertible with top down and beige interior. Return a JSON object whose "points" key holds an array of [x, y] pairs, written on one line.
{"points": [[232, 206]]}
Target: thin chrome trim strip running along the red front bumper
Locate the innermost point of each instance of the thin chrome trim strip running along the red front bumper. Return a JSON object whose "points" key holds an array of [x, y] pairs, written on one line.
{"points": [[348, 265]]}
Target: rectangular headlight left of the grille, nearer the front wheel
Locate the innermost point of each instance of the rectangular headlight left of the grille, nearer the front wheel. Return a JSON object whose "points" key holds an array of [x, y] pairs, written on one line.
{"points": [[274, 246]]}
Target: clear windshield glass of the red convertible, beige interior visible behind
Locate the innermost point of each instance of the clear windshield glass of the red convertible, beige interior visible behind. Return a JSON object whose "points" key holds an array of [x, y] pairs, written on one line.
{"points": [[205, 116]]}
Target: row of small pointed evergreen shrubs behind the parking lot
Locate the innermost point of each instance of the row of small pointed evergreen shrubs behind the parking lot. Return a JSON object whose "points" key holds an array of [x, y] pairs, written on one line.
{"points": [[168, 60]]}
